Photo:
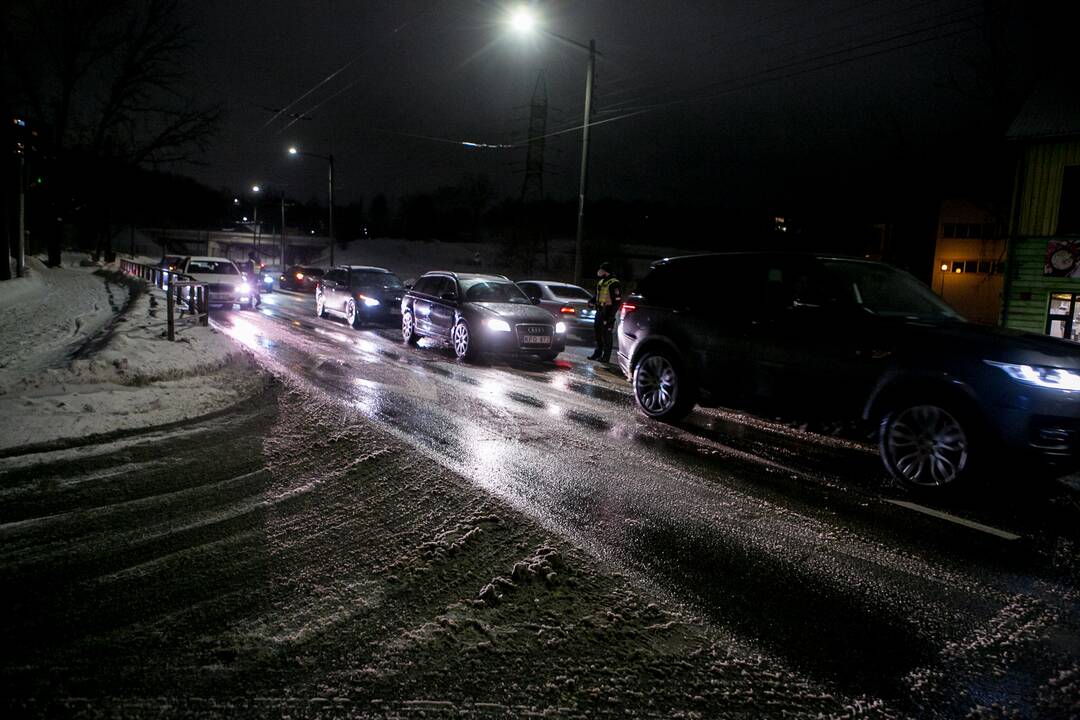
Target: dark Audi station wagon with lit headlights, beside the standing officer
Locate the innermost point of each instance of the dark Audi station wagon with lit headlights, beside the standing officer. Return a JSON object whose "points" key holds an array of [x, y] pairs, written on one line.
{"points": [[480, 315]]}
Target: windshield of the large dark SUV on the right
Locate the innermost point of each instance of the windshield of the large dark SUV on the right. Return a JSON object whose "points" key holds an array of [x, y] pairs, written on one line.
{"points": [[888, 292]]}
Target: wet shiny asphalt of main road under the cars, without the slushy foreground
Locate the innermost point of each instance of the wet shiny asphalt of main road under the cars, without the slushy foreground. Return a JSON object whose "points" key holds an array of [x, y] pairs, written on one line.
{"points": [[794, 539]]}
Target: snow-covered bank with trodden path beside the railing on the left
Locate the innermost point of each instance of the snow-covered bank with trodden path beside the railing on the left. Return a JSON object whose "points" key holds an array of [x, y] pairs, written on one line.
{"points": [[82, 358]]}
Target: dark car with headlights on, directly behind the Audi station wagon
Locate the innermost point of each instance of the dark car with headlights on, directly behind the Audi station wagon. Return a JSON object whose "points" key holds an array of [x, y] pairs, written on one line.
{"points": [[360, 294]]}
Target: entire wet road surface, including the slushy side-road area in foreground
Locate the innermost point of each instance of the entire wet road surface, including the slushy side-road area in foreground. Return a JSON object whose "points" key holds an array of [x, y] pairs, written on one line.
{"points": [[388, 533]]}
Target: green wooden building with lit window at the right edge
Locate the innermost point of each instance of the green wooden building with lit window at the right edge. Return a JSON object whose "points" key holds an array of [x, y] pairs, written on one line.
{"points": [[1042, 292]]}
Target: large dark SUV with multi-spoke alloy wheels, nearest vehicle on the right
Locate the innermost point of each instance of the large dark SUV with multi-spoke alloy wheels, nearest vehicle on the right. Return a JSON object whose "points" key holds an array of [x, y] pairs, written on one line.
{"points": [[852, 339]]}
